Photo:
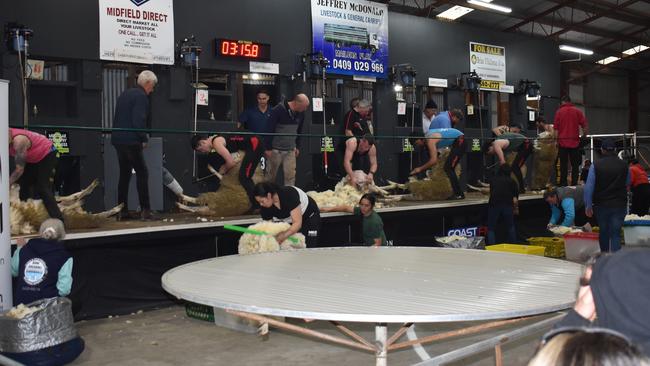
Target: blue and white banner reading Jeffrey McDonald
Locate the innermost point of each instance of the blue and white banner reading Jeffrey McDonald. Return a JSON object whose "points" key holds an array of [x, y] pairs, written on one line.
{"points": [[352, 35]]}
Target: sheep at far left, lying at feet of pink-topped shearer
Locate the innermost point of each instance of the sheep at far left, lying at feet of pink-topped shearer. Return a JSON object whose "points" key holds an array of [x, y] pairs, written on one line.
{"points": [[27, 216]]}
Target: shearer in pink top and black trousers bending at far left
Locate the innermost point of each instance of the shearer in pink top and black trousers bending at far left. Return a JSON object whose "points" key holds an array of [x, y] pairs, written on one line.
{"points": [[36, 158]]}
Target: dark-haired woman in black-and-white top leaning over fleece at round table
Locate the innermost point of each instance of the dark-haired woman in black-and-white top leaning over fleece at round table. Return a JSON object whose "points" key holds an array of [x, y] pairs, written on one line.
{"points": [[290, 204]]}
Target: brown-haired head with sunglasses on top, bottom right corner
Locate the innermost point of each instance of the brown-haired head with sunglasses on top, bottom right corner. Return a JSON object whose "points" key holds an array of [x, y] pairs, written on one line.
{"points": [[587, 347]]}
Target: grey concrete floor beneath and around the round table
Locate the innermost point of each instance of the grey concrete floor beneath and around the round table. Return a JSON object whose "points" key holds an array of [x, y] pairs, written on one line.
{"points": [[169, 337]]}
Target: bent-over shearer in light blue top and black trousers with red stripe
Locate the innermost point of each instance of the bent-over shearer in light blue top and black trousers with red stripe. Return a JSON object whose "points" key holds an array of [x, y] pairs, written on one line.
{"points": [[440, 138]]}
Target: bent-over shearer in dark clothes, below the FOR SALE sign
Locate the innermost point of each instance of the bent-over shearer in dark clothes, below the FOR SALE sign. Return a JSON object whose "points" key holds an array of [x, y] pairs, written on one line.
{"points": [[509, 142]]}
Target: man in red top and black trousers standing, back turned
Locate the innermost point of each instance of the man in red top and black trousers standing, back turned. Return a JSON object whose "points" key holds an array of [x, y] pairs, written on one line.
{"points": [[568, 122]]}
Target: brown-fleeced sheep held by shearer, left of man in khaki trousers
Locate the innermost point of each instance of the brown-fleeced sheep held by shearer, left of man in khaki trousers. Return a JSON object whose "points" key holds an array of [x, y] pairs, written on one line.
{"points": [[230, 199]]}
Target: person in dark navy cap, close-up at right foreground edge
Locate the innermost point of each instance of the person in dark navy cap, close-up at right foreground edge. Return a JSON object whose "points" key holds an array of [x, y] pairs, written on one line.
{"points": [[614, 294]]}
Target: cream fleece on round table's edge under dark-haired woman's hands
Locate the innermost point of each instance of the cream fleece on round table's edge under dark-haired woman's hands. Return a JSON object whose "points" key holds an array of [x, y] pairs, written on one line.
{"points": [[251, 243]]}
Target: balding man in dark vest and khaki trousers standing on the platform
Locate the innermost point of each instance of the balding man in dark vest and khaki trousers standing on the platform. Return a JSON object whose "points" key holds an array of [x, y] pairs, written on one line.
{"points": [[286, 118]]}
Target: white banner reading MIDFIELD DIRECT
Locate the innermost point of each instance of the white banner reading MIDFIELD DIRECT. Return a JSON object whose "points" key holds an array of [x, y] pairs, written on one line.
{"points": [[140, 31]]}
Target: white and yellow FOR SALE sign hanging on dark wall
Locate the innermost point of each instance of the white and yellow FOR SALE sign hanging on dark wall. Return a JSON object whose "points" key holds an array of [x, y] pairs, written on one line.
{"points": [[489, 62]]}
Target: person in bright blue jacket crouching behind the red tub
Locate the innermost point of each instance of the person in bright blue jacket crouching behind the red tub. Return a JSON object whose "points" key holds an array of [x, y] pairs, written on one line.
{"points": [[568, 200]]}
